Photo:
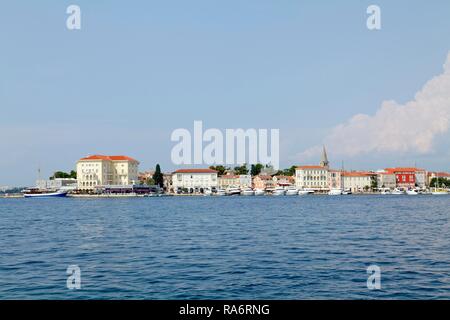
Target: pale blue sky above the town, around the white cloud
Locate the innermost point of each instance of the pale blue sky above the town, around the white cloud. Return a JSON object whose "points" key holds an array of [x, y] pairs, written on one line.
{"points": [[137, 70]]}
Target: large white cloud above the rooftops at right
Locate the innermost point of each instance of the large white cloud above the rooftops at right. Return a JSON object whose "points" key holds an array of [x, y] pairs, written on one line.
{"points": [[395, 128]]}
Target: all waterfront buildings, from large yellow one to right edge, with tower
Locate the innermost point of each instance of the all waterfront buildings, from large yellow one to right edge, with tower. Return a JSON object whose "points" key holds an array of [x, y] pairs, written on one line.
{"points": [[99, 171]]}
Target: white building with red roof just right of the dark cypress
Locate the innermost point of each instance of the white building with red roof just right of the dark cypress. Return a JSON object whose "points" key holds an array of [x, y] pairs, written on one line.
{"points": [[194, 180]]}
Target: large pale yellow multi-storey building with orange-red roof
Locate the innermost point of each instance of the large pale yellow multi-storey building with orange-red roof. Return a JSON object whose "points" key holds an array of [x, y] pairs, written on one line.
{"points": [[100, 170]]}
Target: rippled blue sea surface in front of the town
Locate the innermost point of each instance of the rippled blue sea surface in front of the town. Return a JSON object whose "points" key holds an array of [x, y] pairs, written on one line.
{"points": [[311, 247]]}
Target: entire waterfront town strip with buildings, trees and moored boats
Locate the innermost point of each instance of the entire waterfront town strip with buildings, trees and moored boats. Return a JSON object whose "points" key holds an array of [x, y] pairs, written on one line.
{"points": [[102, 175]]}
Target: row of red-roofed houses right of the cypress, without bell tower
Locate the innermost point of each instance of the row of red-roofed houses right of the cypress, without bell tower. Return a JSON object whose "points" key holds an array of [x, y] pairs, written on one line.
{"points": [[317, 178]]}
